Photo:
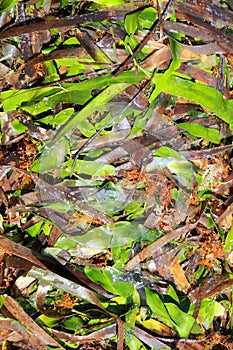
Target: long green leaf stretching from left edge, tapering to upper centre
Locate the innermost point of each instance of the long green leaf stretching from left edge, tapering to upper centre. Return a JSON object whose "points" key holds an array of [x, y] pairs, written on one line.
{"points": [[39, 99]]}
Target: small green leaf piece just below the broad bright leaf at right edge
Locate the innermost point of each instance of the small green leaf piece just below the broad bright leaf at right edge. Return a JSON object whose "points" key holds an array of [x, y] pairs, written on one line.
{"points": [[198, 130]]}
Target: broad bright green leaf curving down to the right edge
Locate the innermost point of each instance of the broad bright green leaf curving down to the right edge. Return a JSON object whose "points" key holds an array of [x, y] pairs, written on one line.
{"points": [[204, 95]]}
